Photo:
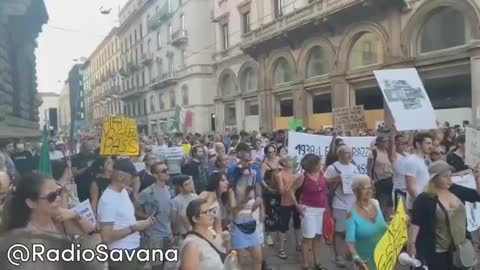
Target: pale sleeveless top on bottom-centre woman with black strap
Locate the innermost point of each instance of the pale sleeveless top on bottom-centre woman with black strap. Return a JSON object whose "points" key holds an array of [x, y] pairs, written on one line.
{"points": [[209, 258]]}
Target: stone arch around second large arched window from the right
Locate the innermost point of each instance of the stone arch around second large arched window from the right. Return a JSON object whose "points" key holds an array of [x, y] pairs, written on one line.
{"points": [[352, 35]]}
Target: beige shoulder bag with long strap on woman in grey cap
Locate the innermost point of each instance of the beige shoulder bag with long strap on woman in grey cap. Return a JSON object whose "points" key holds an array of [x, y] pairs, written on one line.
{"points": [[464, 255]]}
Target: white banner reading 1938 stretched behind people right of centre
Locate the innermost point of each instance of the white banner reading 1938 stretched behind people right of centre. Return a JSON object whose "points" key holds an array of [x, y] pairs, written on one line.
{"points": [[300, 144]]}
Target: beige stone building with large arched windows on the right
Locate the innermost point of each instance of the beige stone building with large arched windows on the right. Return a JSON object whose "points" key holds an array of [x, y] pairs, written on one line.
{"points": [[316, 55]]}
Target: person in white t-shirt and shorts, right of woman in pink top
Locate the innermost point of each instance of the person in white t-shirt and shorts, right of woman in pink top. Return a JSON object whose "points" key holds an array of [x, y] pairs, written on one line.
{"points": [[340, 175]]}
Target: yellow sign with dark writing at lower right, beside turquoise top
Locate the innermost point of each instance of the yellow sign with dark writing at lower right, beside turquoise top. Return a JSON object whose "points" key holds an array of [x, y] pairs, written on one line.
{"points": [[392, 242]]}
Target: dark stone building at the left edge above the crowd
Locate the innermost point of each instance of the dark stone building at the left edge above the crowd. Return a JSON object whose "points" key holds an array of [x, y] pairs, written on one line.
{"points": [[20, 23]]}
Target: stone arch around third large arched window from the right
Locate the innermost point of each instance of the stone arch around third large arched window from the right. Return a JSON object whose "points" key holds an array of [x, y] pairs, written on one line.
{"points": [[305, 53]]}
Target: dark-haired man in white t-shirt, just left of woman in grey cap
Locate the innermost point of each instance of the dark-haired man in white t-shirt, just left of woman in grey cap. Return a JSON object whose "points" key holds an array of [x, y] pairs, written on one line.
{"points": [[415, 168]]}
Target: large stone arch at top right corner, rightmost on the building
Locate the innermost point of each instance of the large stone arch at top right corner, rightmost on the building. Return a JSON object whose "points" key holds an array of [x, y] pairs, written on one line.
{"points": [[416, 23]]}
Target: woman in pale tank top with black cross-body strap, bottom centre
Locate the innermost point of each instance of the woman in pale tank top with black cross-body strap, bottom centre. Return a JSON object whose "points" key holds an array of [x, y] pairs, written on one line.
{"points": [[202, 248]]}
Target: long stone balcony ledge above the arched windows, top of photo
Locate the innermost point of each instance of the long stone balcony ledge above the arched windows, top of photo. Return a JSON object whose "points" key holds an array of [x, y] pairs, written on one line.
{"points": [[296, 21]]}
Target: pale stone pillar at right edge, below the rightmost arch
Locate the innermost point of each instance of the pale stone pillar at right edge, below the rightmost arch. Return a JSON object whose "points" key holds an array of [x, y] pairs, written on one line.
{"points": [[475, 70]]}
